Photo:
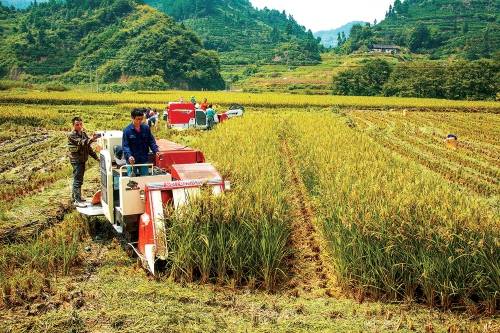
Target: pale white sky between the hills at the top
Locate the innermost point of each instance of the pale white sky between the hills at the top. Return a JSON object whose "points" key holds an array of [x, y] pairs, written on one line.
{"points": [[328, 14]]}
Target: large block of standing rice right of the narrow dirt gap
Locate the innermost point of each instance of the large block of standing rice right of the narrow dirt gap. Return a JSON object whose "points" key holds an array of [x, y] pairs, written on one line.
{"points": [[394, 228]]}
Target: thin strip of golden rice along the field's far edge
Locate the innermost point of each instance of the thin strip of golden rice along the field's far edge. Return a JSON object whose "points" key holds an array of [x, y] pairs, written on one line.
{"points": [[247, 99]]}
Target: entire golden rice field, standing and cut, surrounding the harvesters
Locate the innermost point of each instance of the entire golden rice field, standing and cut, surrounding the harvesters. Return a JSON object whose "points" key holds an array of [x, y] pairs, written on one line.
{"points": [[331, 200]]}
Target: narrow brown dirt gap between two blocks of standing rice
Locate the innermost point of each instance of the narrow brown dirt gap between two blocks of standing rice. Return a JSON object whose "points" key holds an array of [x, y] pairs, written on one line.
{"points": [[310, 272]]}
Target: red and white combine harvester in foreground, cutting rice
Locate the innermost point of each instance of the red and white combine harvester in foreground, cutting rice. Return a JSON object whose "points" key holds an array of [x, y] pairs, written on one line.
{"points": [[135, 205]]}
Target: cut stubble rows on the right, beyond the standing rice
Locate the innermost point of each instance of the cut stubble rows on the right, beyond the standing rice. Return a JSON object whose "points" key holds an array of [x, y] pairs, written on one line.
{"points": [[475, 165]]}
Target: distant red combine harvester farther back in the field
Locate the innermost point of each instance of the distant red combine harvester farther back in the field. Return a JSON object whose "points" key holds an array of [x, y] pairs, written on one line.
{"points": [[183, 116]]}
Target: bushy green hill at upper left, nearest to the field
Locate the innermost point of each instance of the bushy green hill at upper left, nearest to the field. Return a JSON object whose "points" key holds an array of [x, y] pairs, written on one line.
{"points": [[108, 40]]}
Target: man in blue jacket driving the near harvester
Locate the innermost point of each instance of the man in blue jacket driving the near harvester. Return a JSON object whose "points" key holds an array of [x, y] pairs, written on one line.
{"points": [[137, 141]]}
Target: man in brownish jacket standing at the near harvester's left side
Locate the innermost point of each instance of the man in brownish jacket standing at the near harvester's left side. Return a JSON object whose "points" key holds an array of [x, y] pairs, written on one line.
{"points": [[79, 152]]}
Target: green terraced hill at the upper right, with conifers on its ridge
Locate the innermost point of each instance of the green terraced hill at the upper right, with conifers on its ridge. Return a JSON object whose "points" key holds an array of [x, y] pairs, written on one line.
{"points": [[467, 28]]}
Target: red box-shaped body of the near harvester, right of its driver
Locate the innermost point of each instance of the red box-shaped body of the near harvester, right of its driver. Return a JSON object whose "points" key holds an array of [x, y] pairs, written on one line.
{"points": [[172, 153]]}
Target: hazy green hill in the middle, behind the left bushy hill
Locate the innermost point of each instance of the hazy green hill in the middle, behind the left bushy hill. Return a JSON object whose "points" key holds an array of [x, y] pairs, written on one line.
{"points": [[243, 34]]}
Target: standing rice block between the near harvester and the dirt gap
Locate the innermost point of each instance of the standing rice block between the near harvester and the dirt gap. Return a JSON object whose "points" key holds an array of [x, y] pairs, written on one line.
{"points": [[241, 237]]}
